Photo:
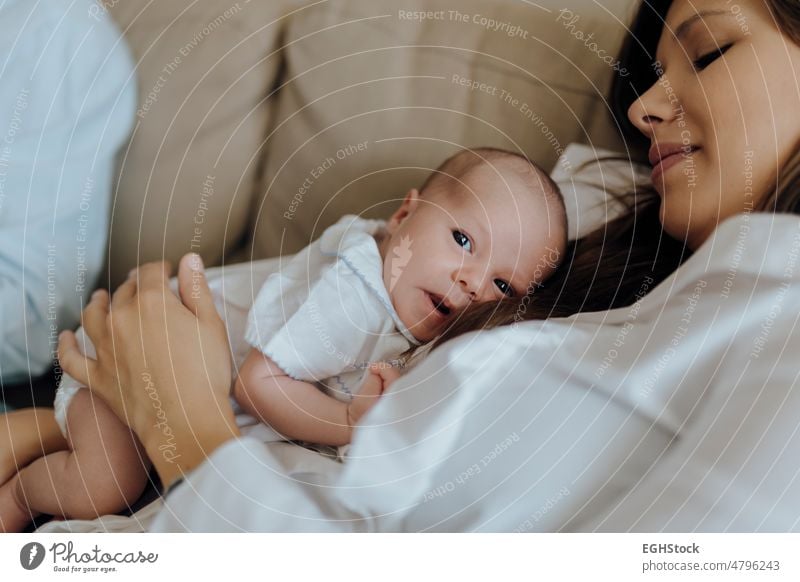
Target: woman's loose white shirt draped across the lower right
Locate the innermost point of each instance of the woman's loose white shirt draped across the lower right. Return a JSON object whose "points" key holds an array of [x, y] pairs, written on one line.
{"points": [[677, 414]]}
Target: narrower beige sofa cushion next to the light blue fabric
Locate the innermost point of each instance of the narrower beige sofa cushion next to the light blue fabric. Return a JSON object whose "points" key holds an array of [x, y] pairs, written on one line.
{"points": [[186, 181]]}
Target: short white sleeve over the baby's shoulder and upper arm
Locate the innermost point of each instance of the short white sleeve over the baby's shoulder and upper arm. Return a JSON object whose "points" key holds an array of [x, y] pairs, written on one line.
{"points": [[314, 330]]}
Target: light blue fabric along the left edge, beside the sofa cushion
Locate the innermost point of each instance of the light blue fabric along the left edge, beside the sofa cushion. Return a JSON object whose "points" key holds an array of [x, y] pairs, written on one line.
{"points": [[67, 104]]}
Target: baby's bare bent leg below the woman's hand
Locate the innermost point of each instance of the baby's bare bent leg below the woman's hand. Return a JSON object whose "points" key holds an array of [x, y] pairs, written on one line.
{"points": [[104, 472]]}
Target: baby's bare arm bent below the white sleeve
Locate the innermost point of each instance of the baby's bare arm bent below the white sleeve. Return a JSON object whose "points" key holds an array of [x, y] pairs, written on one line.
{"points": [[297, 409]]}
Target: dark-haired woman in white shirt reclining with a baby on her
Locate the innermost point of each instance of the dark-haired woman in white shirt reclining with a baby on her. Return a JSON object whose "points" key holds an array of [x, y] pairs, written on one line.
{"points": [[561, 450]]}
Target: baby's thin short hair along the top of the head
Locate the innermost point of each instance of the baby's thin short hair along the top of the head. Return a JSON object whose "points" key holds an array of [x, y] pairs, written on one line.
{"points": [[454, 168]]}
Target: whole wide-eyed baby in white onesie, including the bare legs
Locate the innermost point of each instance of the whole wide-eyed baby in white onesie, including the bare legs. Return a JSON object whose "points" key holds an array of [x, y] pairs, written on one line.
{"points": [[327, 333]]}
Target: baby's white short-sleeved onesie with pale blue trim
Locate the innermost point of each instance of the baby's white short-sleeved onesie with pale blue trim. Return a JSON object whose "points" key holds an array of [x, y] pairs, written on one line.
{"points": [[323, 317]]}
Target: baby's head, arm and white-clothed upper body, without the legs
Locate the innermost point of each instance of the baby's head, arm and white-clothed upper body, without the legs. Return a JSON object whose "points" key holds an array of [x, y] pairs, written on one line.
{"points": [[378, 289]]}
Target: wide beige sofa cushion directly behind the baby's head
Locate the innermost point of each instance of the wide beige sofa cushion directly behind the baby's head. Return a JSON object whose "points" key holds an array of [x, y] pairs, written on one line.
{"points": [[365, 73]]}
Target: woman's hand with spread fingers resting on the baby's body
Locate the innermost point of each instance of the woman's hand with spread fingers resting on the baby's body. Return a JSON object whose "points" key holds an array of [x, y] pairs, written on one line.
{"points": [[163, 364]]}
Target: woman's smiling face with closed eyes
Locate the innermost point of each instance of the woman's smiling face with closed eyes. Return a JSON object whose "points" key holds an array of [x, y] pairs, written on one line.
{"points": [[724, 115]]}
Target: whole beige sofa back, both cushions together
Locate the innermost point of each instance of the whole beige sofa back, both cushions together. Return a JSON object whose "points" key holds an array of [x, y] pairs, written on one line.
{"points": [[260, 124]]}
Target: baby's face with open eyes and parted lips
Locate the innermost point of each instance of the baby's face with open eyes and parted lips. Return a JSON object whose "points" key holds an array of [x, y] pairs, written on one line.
{"points": [[484, 239]]}
